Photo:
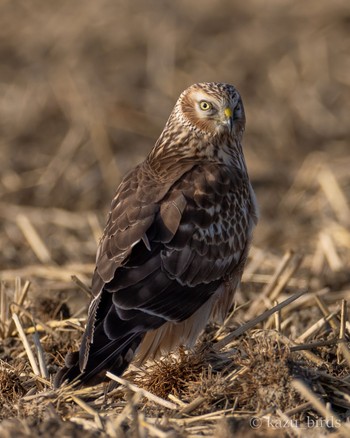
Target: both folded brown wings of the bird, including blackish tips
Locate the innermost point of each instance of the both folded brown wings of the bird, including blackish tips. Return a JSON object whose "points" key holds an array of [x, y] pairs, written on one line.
{"points": [[165, 251]]}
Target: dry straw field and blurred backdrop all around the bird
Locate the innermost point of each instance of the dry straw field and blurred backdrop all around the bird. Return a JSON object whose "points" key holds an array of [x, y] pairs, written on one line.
{"points": [[84, 92]]}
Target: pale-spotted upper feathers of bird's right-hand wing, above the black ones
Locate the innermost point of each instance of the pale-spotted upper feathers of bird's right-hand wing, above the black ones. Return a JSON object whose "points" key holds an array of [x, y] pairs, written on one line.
{"points": [[214, 227]]}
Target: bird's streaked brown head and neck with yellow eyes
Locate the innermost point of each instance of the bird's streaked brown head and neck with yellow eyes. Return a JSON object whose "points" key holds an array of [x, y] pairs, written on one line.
{"points": [[207, 123]]}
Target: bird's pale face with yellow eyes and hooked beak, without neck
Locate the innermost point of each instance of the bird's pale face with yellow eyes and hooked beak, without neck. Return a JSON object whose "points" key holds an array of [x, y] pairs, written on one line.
{"points": [[213, 108]]}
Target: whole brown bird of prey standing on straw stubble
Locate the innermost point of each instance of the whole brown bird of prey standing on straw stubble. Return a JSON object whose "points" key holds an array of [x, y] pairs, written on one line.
{"points": [[176, 240]]}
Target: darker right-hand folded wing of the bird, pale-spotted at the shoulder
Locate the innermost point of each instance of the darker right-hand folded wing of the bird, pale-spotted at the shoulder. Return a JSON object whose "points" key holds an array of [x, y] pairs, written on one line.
{"points": [[196, 239]]}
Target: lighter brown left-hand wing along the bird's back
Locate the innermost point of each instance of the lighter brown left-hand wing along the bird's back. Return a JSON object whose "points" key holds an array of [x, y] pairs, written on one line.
{"points": [[133, 211]]}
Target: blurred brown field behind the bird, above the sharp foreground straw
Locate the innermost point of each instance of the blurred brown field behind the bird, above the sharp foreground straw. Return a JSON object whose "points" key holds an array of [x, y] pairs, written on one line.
{"points": [[86, 88]]}
